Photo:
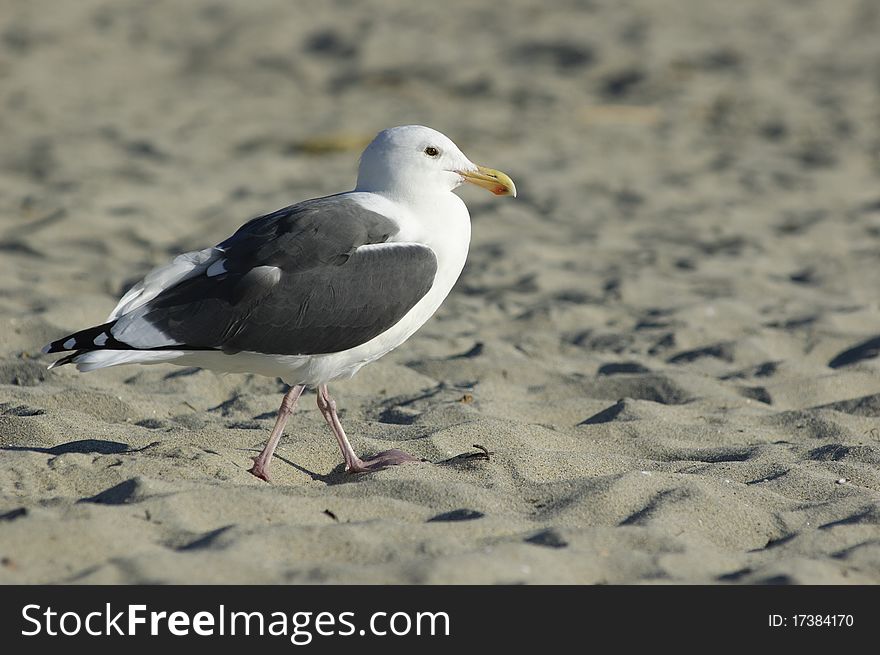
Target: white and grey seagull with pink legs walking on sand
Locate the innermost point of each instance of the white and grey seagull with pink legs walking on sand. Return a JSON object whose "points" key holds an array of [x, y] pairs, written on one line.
{"points": [[312, 292]]}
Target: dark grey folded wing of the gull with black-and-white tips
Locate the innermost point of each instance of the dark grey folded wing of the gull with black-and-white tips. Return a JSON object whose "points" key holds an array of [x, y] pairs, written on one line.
{"points": [[317, 277]]}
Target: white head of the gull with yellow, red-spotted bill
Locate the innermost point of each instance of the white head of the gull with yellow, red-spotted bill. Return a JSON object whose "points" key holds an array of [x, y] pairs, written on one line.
{"points": [[413, 160]]}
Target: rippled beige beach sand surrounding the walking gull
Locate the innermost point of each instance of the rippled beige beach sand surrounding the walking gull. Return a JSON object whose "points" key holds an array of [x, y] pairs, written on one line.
{"points": [[654, 340]]}
